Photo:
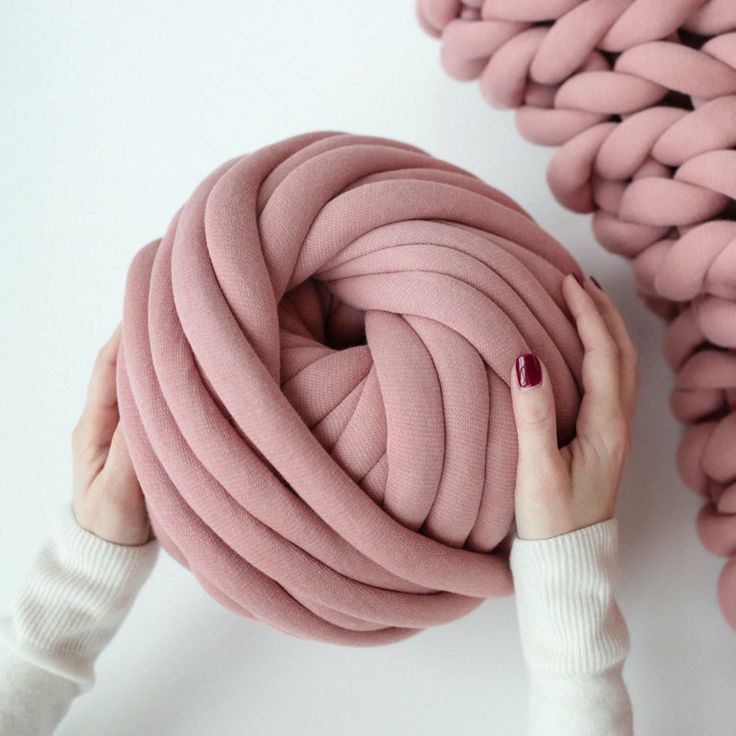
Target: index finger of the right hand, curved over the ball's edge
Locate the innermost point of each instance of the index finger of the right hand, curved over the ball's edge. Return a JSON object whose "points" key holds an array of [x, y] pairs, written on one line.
{"points": [[601, 395]]}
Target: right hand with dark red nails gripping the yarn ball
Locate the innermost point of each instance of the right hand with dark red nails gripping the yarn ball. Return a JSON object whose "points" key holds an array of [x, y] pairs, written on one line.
{"points": [[561, 490]]}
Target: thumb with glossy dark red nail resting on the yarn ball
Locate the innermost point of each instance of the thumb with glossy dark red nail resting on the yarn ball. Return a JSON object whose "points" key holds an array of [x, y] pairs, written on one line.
{"points": [[534, 410]]}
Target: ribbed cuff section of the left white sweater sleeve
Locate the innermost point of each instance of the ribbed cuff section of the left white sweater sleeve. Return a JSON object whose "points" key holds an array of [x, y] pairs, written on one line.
{"points": [[77, 593]]}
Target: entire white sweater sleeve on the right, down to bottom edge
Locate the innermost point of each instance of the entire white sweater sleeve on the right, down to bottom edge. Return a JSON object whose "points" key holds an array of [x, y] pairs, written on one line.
{"points": [[573, 634]]}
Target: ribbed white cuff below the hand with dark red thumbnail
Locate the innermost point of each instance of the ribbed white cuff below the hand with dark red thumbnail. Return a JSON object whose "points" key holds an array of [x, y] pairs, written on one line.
{"points": [[569, 621]]}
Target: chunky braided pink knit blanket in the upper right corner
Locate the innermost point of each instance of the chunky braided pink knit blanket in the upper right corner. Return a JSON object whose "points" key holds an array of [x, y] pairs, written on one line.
{"points": [[640, 96]]}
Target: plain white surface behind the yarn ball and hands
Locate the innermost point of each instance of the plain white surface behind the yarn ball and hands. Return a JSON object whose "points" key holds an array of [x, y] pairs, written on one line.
{"points": [[111, 113]]}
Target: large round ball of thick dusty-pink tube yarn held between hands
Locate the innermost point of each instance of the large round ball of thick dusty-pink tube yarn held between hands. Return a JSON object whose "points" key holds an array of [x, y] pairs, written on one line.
{"points": [[313, 383]]}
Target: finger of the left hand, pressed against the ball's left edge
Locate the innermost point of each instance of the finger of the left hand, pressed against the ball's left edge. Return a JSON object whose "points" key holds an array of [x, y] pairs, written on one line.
{"points": [[100, 414]]}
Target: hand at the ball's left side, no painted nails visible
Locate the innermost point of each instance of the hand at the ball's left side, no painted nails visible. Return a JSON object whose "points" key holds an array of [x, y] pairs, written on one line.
{"points": [[107, 499]]}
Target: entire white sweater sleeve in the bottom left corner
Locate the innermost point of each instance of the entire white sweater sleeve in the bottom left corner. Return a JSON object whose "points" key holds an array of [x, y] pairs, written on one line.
{"points": [[76, 596]]}
